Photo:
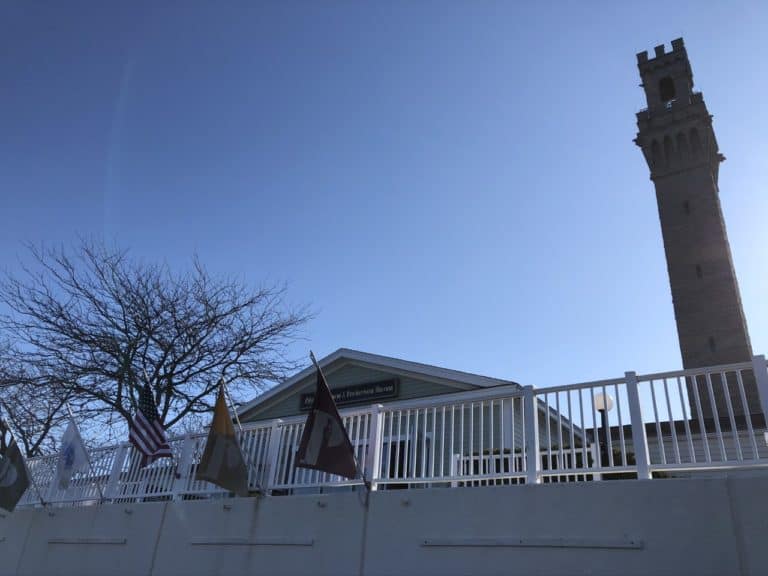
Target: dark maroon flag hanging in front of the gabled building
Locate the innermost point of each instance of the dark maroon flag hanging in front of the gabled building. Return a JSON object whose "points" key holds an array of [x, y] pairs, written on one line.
{"points": [[325, 444]]}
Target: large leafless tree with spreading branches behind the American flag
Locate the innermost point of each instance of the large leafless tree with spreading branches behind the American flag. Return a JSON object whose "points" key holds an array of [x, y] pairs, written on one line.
{"points": [[94, 325]]}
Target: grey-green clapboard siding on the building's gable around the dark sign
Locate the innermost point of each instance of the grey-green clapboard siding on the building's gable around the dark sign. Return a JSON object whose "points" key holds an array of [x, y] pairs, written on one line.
{"points": [[348, 376]]}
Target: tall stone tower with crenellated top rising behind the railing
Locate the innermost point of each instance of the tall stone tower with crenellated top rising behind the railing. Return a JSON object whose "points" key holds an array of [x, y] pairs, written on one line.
{"points": [[676, 136]]}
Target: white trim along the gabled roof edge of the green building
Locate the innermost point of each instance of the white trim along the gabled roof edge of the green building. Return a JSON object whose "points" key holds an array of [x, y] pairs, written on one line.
{"points": [[386, 362]]}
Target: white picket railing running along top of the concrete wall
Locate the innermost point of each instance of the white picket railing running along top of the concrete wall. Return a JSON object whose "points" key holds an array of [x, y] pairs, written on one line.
{"points": [[688, 421]]}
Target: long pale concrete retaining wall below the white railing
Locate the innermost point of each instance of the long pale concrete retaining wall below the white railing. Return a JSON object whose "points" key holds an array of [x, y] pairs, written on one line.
{"points": [[661, 527]]}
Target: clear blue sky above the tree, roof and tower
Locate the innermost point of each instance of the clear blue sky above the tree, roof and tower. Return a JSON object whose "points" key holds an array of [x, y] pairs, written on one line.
{"points": [[448, 182]]}
